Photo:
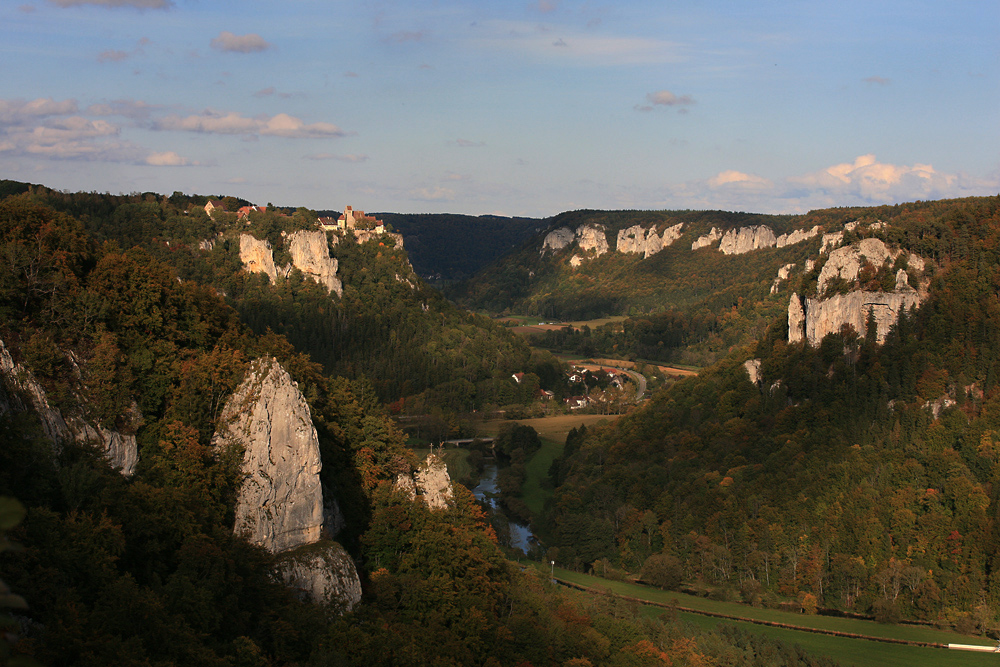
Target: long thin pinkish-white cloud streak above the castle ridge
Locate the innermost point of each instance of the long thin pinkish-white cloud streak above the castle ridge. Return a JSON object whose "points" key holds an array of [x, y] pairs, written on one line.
{"points": [[280, 125]]}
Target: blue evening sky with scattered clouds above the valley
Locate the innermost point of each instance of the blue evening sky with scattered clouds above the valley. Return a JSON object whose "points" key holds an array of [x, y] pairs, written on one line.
{"points": [[513, 108]]}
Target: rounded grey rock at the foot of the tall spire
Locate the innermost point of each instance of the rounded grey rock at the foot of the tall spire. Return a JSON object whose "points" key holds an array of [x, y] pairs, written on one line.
{"points": [[322, 574]]}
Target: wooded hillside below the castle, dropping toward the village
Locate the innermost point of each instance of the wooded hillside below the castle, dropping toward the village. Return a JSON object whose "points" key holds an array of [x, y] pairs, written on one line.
{"points": [[388, 327]]}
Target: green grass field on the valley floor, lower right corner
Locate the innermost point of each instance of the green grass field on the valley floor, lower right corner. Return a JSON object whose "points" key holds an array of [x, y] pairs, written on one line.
{"points": [[847, 651]]}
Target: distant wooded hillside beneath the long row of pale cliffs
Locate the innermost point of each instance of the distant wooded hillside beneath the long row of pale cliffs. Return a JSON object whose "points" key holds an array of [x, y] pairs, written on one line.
{"points": [[683, 306]]}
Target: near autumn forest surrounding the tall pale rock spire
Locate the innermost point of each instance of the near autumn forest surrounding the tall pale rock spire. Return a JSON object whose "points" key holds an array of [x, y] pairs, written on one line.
{"points": [[97, 568]]}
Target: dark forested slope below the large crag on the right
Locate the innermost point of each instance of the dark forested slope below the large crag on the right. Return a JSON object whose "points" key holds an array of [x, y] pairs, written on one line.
{"points": [[855, 476]]}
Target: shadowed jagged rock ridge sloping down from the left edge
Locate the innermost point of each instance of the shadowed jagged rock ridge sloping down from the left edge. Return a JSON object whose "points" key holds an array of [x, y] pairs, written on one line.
{"points": [[20, 392]]}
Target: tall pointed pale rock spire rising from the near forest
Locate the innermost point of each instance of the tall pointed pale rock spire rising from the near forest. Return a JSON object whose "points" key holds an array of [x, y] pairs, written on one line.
{"points": [[280, 505]]}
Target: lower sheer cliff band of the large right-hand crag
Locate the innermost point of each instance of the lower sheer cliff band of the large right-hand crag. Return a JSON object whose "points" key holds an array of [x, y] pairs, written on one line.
{"points": [[812, 319]]}
